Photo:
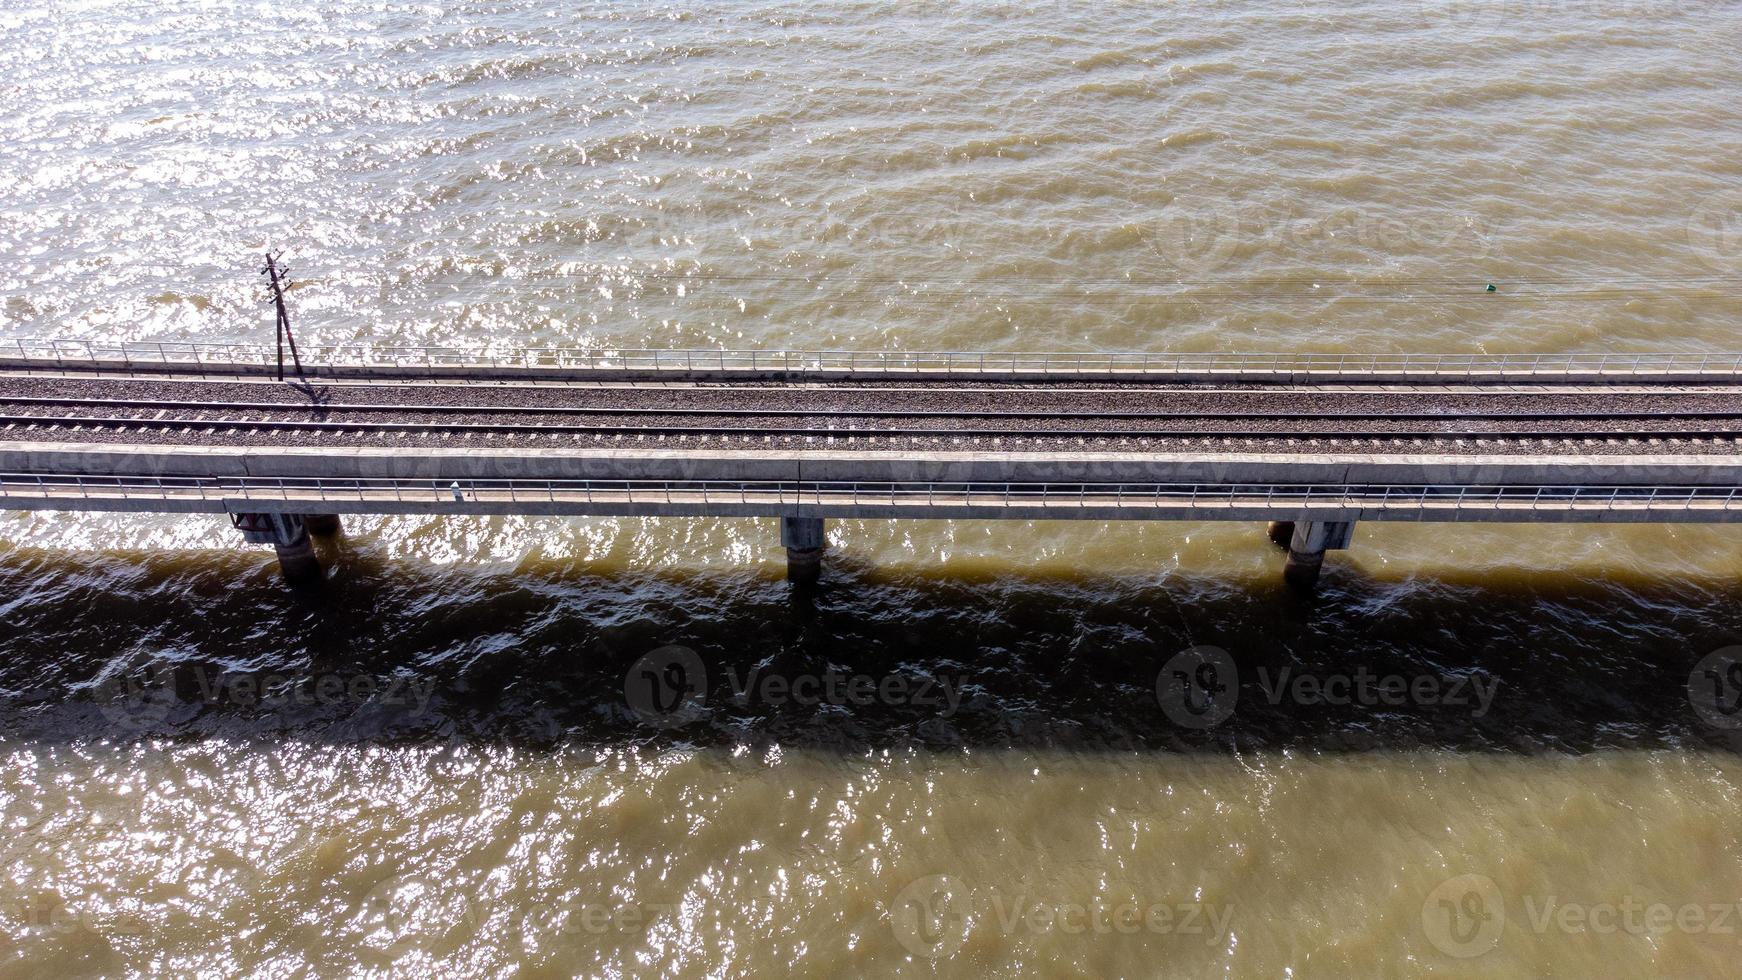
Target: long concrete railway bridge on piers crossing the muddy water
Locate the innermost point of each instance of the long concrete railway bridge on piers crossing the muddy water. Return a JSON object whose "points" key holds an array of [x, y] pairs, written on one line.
{"points": [[1311, 443]]}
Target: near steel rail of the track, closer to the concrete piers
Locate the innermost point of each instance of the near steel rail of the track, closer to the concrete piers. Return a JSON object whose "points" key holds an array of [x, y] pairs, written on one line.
{"points": [[581, 431]]}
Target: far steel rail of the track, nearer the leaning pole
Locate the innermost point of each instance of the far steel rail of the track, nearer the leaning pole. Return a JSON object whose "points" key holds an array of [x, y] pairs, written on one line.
{"points": [[1454, 413]]}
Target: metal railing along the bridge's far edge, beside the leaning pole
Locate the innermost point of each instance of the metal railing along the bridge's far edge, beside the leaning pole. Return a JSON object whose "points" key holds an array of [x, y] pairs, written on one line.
{"points": [[76, 352]]}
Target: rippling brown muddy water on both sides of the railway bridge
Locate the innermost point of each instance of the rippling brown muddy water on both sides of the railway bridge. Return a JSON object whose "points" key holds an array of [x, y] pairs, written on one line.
{"points": [[625, 748]]}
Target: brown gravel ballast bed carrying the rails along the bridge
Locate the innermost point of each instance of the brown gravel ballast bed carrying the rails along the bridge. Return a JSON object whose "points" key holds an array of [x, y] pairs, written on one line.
{"points": [[823, 417]]}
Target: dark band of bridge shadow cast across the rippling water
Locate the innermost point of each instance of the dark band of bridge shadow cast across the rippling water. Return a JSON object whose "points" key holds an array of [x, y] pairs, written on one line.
{"points": [[553, 655]]}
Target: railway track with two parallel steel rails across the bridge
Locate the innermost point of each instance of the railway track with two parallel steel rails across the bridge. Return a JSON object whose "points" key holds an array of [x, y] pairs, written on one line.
{"points": [[142, 415]]}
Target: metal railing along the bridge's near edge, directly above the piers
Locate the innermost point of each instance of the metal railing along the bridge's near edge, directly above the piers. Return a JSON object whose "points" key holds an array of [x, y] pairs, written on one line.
{"points": [[917, 495]]}
